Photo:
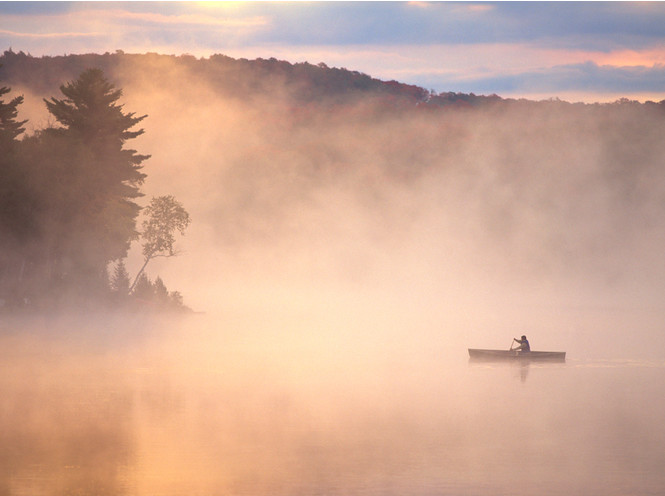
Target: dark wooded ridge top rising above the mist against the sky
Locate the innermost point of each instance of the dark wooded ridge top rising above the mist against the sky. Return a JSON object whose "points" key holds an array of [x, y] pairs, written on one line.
{"points": [[242, 78]]}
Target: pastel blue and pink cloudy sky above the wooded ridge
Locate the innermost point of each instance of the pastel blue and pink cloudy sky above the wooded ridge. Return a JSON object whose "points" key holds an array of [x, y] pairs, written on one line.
{"points": [[576, 51]]}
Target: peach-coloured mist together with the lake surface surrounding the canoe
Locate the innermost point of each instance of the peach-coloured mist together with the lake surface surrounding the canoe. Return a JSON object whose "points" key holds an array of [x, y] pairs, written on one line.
{"points": [[345, 258]]}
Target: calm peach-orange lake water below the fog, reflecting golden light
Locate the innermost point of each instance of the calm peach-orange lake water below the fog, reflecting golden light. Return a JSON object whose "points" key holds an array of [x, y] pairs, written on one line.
{"points": [[212, 407]]}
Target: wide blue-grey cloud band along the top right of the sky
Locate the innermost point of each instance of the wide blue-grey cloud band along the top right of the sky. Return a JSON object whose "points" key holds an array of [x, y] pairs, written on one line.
{"points": [[580, 25]]}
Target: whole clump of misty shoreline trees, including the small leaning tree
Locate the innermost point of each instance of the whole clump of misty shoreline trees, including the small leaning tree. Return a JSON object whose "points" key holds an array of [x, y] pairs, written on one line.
{"points": [[68, 204]]}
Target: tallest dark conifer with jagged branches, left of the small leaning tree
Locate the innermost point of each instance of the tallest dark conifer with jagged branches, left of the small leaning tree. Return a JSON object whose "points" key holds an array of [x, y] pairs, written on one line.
{"points": [[94, 179]]}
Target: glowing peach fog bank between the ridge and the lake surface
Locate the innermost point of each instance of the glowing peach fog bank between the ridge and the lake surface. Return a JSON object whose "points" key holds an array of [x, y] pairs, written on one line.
{"points": [[489, 221]]}
